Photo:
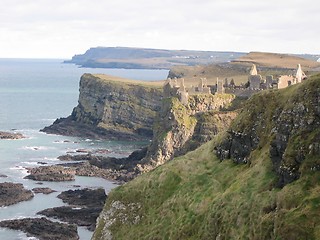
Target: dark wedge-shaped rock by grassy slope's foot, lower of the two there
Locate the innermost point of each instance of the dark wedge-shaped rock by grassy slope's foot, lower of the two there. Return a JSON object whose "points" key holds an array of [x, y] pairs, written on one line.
{"points": [[80, 216]]}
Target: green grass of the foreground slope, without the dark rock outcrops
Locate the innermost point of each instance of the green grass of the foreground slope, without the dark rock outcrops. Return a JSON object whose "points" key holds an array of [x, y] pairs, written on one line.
{"points": [[197, 196]]}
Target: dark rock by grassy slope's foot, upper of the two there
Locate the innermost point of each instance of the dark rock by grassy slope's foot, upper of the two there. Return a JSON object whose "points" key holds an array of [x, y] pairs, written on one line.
{"points": [[84, 197]]}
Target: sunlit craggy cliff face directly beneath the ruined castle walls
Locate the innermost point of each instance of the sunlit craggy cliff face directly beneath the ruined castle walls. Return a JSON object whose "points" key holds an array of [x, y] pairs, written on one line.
{"points": [[181, 128]]}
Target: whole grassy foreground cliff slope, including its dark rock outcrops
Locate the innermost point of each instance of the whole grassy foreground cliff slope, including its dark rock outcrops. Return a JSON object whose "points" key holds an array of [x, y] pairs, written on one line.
{"points": [[268, 190]]}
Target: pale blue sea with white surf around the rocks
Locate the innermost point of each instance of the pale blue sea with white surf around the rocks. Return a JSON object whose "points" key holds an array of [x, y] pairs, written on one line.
{"points": [[33, 93]]}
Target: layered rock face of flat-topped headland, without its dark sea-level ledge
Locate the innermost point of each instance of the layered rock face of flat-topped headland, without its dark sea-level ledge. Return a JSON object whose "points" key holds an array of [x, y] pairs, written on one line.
{"points": [[117, 105]]}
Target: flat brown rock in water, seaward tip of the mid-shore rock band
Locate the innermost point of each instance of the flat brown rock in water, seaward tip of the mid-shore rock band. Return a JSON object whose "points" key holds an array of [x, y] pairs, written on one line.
{"points": [[51, 173]]}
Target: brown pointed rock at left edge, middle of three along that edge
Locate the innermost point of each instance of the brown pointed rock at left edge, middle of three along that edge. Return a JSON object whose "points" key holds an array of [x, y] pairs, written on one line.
{"points": [[12, 193]]}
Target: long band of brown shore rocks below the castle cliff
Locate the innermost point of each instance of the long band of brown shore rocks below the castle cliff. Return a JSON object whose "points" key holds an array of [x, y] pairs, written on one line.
{"points": [[119, 170]]}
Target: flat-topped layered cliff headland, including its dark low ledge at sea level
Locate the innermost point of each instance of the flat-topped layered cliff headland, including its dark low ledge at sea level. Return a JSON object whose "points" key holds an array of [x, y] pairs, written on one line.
{"points": [[112, 108]]}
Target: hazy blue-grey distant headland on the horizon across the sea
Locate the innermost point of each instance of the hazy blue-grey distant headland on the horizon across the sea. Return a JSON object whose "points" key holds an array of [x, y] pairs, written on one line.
{"points": [[144, 58]]}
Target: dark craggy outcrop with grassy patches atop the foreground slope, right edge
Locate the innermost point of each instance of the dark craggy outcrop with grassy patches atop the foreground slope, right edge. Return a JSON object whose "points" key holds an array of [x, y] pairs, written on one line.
{"points": [[286, 121]]}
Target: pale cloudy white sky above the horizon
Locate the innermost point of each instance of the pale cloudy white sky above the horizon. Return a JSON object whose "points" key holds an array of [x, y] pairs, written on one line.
{"points": [[63, 28]]}
